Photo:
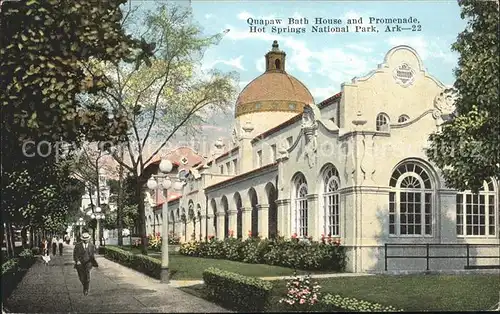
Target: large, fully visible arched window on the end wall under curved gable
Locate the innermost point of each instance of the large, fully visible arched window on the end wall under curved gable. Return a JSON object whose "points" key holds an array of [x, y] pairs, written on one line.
{"points": [[410, 201]]}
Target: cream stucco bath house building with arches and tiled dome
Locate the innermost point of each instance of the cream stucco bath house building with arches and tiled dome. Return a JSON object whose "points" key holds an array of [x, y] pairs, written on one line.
{"points": [[352, 167]]}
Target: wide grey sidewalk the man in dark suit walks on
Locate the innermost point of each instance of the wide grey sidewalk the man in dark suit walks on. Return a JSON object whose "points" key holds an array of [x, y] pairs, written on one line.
{"points": [[113, 288]]}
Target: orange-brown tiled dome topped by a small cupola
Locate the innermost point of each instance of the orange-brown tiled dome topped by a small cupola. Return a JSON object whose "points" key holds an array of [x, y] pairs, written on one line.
{"points": [[274, 90]]}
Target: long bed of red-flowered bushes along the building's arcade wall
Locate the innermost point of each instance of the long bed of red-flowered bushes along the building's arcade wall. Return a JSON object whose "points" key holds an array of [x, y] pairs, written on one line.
{"points": [[302, 254]]}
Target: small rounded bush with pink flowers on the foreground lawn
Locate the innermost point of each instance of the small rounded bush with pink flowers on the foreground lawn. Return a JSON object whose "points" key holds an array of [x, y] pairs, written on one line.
{"points": [[301, 292]]}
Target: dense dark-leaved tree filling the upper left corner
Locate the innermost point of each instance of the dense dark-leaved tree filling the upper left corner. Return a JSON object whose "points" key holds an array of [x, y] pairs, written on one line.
{"points": [[43, 45]]}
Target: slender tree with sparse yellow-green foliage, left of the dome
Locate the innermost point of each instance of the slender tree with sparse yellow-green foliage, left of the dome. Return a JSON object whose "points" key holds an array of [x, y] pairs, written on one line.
{"points": [[163, 95]]}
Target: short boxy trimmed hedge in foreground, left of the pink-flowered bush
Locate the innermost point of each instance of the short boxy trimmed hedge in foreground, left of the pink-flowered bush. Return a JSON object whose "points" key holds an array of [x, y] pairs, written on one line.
{"points": [[237, 291]]}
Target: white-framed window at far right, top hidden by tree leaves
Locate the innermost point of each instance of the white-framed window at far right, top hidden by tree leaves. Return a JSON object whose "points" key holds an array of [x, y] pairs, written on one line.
{"points": [[477, 213]]}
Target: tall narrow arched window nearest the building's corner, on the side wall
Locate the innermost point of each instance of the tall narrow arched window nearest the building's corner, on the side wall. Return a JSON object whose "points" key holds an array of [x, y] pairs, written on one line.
{"points": [[331, 201]]}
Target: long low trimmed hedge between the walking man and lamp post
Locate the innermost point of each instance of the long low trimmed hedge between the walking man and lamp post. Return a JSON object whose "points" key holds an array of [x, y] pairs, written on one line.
{"points": [[142, 263]]}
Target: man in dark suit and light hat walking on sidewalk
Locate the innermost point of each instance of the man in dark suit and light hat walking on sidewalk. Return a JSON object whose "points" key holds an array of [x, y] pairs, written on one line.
{"points": [[83, 255]]}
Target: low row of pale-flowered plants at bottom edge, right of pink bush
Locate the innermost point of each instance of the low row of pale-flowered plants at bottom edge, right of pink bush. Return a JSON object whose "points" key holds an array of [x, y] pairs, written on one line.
{"points": [[337, 302]]}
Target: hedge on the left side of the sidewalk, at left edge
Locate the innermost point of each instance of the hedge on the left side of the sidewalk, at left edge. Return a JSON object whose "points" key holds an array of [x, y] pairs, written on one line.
{"points": [[13, 271]]}
